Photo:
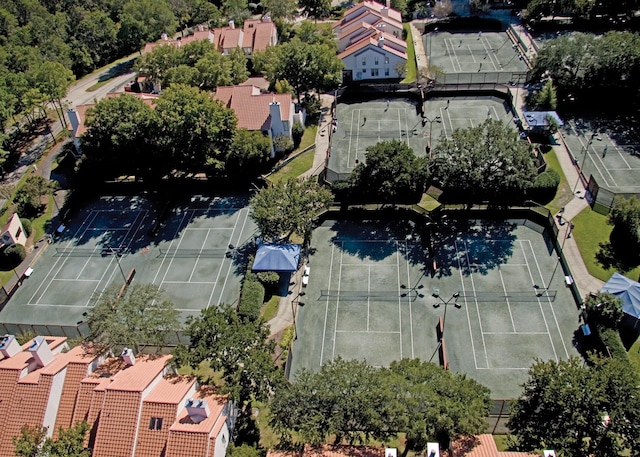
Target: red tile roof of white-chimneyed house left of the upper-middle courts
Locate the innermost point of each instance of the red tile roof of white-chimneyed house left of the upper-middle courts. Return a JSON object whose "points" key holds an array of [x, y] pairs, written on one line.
{"points": [[252, 107]]}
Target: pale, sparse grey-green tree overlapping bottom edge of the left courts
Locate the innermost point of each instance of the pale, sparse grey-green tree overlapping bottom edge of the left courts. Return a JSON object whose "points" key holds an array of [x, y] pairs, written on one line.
{"points": [[138, 316]]}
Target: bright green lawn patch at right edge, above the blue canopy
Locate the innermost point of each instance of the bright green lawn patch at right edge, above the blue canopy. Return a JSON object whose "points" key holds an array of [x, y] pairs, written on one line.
{"points": [[590, 230]]}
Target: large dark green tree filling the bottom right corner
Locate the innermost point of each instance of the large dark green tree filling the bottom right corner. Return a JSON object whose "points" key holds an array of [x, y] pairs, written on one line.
{"points": [[579, 409]]}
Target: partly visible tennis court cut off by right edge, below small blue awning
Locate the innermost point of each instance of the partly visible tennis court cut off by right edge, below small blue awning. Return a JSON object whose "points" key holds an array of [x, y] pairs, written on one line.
{"points": [[608, 151]]}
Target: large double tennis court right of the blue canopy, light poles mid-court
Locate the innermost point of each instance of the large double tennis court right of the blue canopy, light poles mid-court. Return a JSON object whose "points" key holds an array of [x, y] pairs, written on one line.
{"points": [[372, 292]]}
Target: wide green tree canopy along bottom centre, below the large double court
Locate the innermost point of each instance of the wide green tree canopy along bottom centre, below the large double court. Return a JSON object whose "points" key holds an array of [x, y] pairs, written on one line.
{"points": [[355, 402]]}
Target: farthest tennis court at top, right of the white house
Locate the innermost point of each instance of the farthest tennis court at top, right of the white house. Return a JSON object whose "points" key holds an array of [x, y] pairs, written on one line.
{"points": [[478, 52]]}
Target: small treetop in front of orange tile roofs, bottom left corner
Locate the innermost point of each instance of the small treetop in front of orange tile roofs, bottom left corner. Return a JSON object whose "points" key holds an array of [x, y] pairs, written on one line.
{"points": [[32, 442]]}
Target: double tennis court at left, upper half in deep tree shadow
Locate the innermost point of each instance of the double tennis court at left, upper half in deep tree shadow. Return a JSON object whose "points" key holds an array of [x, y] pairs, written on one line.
{"points": [[192, 249]]}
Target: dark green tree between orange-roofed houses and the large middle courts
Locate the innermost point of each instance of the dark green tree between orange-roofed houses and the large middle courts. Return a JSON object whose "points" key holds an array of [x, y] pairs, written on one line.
{"points": [[239, 349]]}
